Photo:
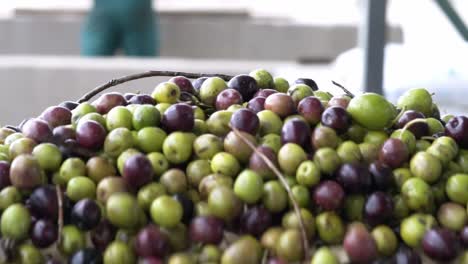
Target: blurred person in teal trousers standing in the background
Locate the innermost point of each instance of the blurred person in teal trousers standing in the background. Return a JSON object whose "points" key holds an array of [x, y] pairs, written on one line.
{"points": [[129, 25]]}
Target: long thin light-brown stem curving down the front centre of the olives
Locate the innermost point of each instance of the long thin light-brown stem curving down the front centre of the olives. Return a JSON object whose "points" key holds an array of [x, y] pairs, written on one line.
{"points": [[271, 166]]}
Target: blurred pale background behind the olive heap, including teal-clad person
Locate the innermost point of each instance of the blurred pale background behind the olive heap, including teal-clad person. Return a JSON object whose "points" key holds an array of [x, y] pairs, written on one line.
{"points": [[56, 50]]}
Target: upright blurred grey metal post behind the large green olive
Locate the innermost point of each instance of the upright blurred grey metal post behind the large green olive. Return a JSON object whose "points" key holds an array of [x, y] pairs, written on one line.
{"points": [[372, 41]]}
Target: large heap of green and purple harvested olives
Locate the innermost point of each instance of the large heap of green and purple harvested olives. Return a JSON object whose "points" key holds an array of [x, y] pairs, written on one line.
{"points": [[243, 169]]}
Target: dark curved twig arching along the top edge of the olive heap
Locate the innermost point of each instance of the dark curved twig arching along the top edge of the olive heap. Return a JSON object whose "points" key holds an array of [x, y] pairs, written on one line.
{"points": [[115, 82]]}
